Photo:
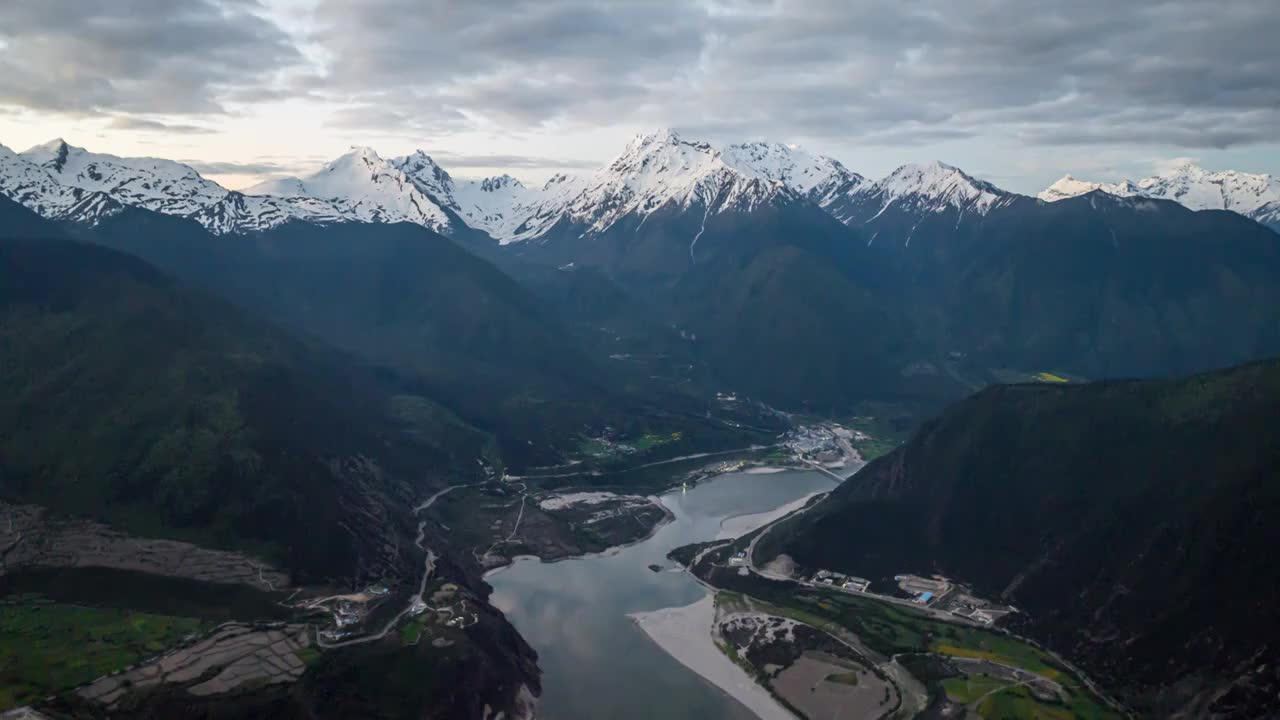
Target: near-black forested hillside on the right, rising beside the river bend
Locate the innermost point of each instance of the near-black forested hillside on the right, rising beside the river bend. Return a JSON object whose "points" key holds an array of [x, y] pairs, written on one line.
{"points": [[1135, 523]]}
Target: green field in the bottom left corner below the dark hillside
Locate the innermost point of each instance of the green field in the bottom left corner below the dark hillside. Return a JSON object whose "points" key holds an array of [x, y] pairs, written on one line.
{"points": [[48, 649]]}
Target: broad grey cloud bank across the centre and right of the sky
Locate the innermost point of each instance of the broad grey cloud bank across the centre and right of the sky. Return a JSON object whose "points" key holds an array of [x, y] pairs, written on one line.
{"points": [[1203, 74]]}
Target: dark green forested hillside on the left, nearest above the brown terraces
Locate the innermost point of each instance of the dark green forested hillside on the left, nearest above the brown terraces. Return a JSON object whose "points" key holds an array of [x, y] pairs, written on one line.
{"points": [[132, 400]]}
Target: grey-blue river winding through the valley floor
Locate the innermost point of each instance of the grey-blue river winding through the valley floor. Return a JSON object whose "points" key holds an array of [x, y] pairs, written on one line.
{"points": [[597, 663]]}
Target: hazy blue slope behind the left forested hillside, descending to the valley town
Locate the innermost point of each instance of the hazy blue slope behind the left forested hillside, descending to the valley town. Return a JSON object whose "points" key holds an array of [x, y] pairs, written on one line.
{"points": [[404, 297]]}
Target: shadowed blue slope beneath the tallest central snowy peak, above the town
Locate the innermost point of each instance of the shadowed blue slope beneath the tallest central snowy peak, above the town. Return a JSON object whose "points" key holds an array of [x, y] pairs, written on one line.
{"points": [[784, 302]]}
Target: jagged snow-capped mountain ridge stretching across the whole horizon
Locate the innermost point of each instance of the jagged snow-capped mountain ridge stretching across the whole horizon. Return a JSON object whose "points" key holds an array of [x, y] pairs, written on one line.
{"points": [[659, 171]]}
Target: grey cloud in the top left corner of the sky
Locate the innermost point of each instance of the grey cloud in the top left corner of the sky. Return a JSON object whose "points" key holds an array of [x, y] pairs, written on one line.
{"points": [[175, 57]]}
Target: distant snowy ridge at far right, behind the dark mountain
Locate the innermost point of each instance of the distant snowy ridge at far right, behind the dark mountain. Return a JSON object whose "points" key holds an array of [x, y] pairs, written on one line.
{"points": [[1252, 195]]}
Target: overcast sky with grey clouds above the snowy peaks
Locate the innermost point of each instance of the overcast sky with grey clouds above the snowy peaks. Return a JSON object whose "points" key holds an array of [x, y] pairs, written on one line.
{"points": [[1018, 93]]}
